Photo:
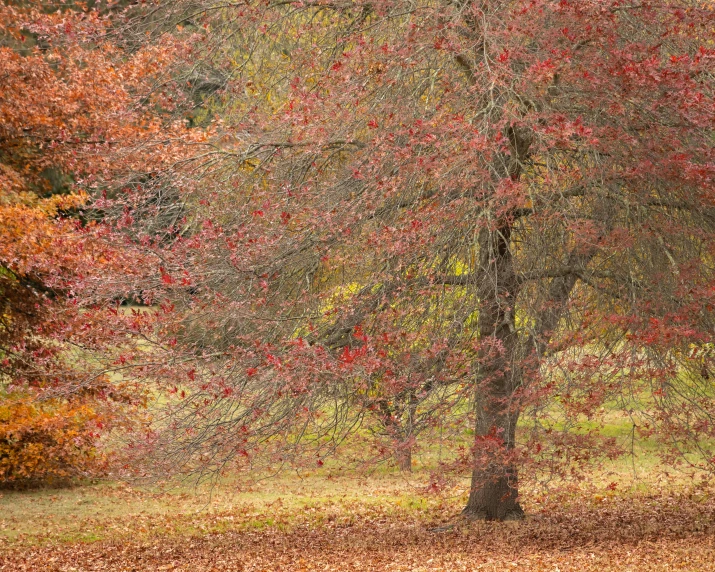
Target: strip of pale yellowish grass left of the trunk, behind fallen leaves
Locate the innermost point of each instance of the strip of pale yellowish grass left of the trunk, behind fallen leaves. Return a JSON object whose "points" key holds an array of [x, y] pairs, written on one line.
{"points": [[110, 510]]}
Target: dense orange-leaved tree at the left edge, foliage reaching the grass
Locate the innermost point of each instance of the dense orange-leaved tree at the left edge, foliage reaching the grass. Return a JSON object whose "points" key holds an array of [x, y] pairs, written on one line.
{"points": [[69, 127]]}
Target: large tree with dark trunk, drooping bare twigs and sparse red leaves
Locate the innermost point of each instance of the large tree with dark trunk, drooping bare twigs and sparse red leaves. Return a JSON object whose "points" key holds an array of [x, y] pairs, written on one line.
{"points": [[492, 211]]}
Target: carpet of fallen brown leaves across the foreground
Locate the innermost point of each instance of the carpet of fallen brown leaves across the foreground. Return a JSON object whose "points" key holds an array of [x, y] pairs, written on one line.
{"points": [[639, 533]]}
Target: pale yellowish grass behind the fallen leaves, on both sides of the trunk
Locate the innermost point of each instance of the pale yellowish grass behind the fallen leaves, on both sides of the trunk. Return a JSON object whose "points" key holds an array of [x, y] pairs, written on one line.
{"points": [[106, 510]]}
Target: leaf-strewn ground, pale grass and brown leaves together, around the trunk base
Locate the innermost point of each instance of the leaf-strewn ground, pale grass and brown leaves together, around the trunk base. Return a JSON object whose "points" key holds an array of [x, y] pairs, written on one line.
{"points": [[384, 521]]}
